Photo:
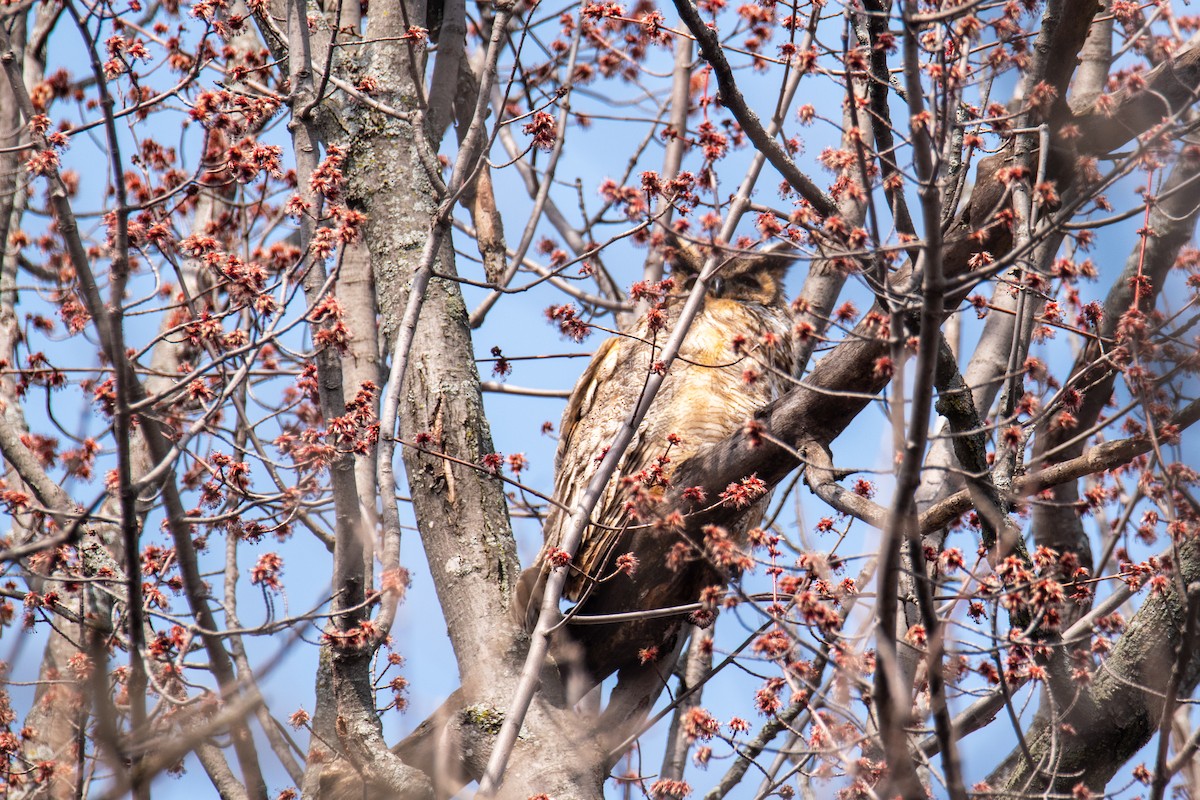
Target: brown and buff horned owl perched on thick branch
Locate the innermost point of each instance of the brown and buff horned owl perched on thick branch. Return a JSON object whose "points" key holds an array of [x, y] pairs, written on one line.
{"points": [[735, 359]]}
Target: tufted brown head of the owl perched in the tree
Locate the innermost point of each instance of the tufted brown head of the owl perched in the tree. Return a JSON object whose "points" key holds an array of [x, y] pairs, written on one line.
{"points": [[743, 278]]}
